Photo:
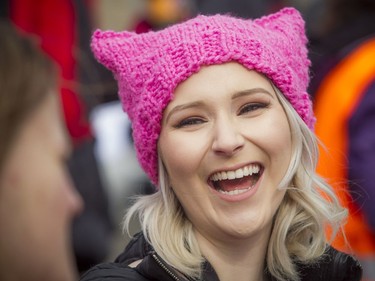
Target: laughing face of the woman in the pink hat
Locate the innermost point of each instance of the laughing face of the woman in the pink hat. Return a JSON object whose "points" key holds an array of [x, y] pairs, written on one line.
{"points": [[226, 145]]}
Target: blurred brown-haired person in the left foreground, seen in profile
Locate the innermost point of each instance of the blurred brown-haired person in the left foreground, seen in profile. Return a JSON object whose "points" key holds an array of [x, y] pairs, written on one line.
{"points": [[37, 198]]}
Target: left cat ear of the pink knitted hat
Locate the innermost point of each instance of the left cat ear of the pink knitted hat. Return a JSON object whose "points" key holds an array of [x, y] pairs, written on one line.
{"points": [[106, 46]]}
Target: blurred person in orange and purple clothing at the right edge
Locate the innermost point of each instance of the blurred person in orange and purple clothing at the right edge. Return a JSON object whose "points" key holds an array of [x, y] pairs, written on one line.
{"points": [[343, 86]]}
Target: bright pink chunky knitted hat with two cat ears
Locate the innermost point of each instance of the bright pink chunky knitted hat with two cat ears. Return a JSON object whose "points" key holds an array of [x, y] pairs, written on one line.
{"points": [[149, 66]]}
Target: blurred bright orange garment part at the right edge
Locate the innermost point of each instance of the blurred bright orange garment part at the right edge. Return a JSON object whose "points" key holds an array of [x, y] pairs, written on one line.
{"points": [[336, 99]]}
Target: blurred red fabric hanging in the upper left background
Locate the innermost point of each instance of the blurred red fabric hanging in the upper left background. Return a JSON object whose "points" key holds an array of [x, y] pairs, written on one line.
{"points": [[55, 23]]}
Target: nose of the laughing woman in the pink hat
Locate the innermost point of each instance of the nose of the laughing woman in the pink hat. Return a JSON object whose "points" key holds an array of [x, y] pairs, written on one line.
{"points": [[227, 138]]}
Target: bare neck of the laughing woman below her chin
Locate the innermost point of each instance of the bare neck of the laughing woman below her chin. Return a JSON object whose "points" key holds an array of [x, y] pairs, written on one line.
{"points": [[236, 259]]}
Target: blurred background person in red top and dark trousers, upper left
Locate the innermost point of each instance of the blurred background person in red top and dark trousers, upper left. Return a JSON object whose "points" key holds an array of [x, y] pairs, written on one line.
{"points": [[63, 28]]}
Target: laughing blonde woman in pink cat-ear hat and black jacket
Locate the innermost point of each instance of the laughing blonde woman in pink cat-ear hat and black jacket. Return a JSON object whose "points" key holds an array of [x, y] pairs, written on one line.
{"points": [[223, 127]]}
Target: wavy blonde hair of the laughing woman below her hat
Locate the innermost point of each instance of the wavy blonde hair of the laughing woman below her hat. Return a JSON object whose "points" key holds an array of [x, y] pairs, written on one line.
{"points": [[298, 233]]}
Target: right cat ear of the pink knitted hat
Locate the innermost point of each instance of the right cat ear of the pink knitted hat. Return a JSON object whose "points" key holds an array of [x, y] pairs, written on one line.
{"points": [[286, 21]]}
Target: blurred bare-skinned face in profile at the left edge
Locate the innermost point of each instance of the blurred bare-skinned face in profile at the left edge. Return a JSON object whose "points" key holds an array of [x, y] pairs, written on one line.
{"points": [[38, 201]]}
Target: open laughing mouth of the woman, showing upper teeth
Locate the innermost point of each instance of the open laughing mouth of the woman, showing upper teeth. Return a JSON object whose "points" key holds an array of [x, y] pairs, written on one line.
{"points": [[237, 181]]}
